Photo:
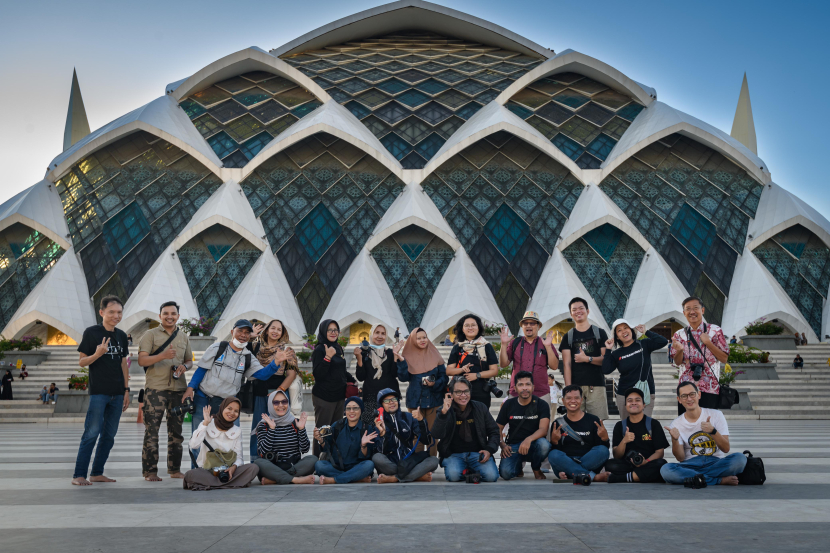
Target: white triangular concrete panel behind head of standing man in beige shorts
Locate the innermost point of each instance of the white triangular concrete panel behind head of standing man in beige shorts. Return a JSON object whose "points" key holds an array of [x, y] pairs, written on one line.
{"points": [[557, 286]]}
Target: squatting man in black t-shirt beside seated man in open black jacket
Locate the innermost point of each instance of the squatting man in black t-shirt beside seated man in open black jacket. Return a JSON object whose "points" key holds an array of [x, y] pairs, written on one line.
{"points": [[529, 418]]}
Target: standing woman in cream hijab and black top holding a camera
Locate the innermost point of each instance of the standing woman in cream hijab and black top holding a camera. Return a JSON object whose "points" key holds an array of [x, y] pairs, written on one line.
{"points": [[377, 370]]}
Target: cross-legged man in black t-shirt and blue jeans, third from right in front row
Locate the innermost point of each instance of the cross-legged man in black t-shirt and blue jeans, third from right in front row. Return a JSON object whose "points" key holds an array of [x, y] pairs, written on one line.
{"points": [[578, 440]]}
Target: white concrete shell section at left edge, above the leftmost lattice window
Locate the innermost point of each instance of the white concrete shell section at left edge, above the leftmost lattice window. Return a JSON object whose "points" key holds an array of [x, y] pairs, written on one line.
{"points": [[40, 208]]}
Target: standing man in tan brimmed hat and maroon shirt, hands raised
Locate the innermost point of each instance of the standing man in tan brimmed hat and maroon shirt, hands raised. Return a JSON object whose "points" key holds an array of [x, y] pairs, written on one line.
{"points": [[529, 352]]}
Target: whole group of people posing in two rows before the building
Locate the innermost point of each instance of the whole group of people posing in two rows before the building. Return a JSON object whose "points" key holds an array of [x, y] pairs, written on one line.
{"points": [[444, 420]]}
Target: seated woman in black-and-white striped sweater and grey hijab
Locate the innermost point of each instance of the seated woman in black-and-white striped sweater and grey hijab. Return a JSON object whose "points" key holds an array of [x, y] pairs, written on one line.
{"points": [[281, 442]]}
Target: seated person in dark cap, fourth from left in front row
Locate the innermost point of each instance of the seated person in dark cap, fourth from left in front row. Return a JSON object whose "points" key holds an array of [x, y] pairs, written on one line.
{"points": [[396, 459]]}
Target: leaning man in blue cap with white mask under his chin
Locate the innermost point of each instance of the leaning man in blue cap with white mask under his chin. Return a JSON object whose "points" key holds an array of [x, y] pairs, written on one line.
{"points": [[222, 370]]}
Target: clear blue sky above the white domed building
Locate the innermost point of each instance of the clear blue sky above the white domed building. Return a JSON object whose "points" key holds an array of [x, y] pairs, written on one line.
{"points": [[693, 53]]}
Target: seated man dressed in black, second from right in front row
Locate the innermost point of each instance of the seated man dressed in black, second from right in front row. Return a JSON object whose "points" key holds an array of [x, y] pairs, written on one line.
{"points": [[641, 435]]}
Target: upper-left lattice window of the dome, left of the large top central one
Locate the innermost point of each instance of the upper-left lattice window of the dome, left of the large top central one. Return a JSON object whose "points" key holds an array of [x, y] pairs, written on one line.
{"points": [[239, 116]]}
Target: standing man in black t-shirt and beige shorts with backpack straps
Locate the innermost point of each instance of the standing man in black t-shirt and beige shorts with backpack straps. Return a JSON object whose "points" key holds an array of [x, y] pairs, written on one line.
{"points": [[583, 349]]}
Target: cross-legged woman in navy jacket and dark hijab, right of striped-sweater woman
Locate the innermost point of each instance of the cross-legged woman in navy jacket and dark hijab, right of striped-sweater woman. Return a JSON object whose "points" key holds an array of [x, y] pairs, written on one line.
{"points": [[348, 446]]}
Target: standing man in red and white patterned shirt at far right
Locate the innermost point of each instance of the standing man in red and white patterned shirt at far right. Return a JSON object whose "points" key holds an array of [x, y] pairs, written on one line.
{"points": [[712, 343]]}
